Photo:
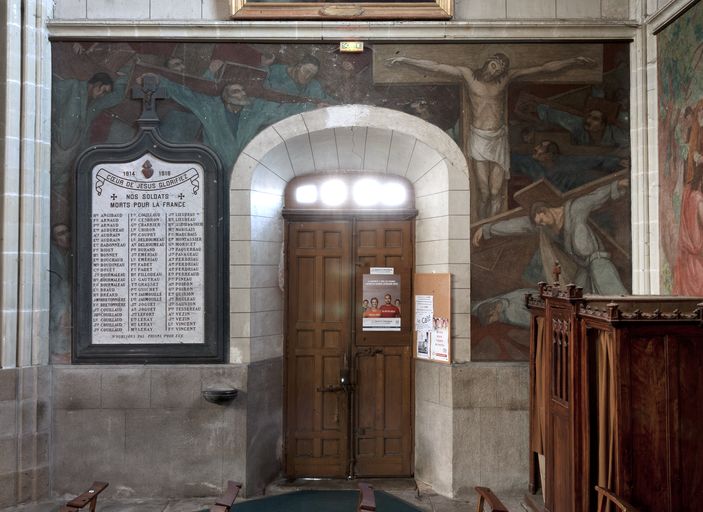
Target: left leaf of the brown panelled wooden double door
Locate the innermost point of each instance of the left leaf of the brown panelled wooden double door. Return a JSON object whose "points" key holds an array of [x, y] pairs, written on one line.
{"points": [[319, 324]]}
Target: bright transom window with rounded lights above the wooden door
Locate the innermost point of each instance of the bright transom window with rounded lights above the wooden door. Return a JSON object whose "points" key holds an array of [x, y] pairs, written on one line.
{"points": [[350, 192]]}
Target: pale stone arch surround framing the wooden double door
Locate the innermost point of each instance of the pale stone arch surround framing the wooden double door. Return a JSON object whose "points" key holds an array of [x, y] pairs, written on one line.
{"points": [[354, 138]]}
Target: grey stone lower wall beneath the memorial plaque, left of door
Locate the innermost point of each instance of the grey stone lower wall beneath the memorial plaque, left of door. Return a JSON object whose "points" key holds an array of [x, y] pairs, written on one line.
{"points": [[147, 430]]}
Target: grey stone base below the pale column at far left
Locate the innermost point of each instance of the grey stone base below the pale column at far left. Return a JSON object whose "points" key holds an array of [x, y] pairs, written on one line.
{"points": [[25, 414]]}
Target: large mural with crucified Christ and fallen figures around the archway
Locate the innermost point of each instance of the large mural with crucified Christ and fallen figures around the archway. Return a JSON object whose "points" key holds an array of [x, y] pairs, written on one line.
{"points": [[542, 126]]}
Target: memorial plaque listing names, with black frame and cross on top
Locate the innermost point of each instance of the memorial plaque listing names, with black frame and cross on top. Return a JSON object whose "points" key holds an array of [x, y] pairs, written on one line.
{"points": [[151, 258]]}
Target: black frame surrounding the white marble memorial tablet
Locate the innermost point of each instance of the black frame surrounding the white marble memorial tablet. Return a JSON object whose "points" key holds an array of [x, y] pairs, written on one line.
{"points": [[216, 265]]}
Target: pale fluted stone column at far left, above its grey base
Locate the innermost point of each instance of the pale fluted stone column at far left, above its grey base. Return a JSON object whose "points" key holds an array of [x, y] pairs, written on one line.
{"points": [[25, 98]]}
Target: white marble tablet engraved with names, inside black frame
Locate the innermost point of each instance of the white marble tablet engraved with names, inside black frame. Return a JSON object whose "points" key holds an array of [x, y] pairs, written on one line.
{"points": [[147, 252]]}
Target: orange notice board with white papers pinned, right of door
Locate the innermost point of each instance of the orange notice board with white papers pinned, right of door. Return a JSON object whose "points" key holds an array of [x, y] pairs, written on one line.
{"points": [[432, 313]]}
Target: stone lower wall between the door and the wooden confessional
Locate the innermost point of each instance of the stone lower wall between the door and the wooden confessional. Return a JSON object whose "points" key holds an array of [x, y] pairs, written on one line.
{"points": [[471, 423]]}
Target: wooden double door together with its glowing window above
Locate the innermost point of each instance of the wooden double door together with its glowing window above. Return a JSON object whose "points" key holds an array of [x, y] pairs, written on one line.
{"points": [[348, 342]]}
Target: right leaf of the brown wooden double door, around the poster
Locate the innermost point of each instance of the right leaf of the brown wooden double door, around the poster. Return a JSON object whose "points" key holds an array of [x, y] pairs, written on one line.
{"points": [[383, 360]]}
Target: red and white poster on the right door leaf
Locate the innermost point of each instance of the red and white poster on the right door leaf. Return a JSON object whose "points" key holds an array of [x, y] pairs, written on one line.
{"points": [[381, 300]]}
